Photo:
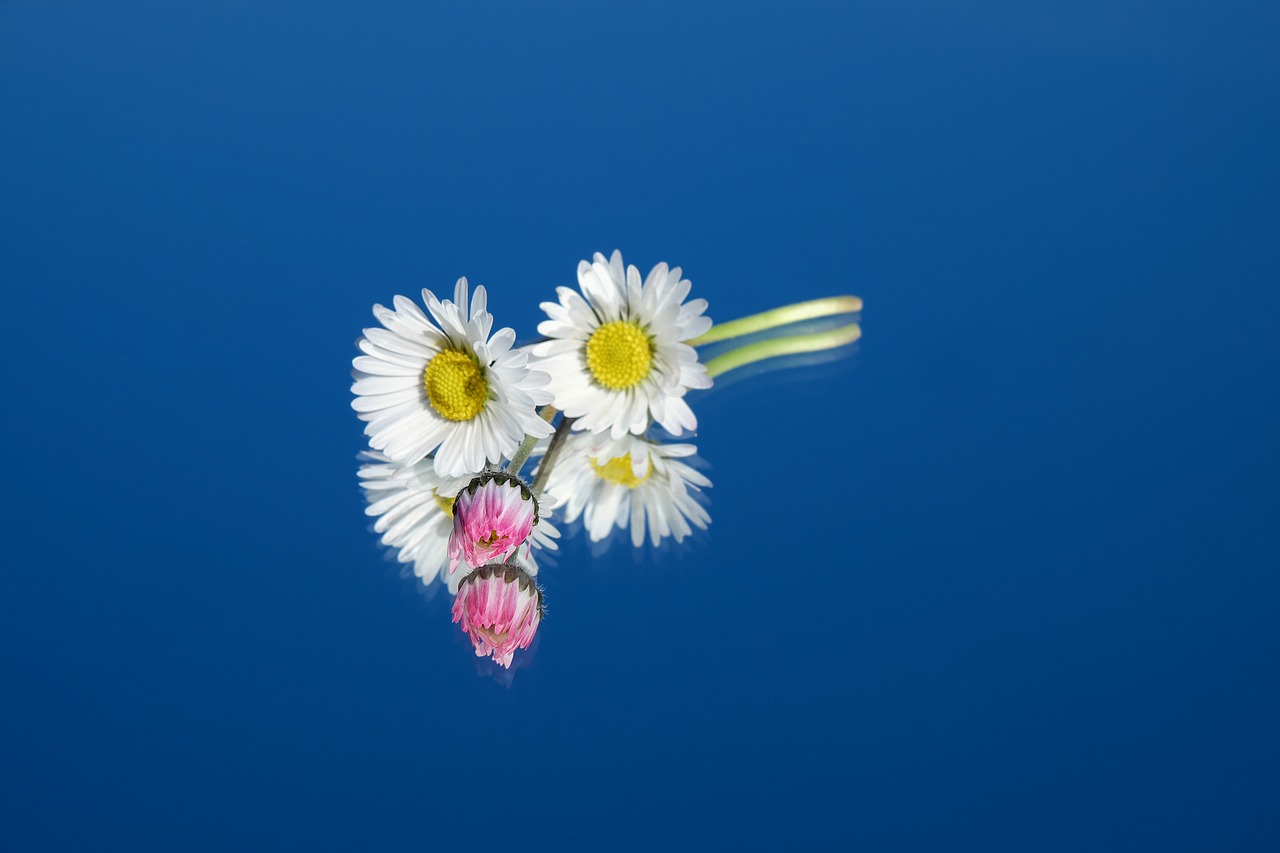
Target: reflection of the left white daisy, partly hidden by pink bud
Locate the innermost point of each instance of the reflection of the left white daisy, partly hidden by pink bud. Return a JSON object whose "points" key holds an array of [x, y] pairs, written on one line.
{"points": [[414, 508]]}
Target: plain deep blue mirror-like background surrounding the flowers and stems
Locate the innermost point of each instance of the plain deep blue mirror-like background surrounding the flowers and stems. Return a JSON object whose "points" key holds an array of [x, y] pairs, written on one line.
{"points": [[1004, 580]]}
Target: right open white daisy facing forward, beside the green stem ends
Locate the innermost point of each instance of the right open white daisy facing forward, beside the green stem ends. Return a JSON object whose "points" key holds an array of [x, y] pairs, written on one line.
{"points": [[619, 358]]}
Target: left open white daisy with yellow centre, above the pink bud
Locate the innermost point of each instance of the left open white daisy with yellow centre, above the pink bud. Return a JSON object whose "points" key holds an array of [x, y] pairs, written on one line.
{"points": [[452, 386]]}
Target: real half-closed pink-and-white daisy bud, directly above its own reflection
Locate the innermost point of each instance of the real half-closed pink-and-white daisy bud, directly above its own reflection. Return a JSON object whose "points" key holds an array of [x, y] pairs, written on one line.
{"points": [[492, 518]]}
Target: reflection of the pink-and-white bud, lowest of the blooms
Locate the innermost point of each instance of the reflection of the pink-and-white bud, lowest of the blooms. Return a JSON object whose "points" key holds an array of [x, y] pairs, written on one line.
{"points": [[500, 608]]}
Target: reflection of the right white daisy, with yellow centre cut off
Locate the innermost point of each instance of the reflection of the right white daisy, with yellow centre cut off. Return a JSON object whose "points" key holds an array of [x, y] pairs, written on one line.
{"points": [[629, 481]]}
